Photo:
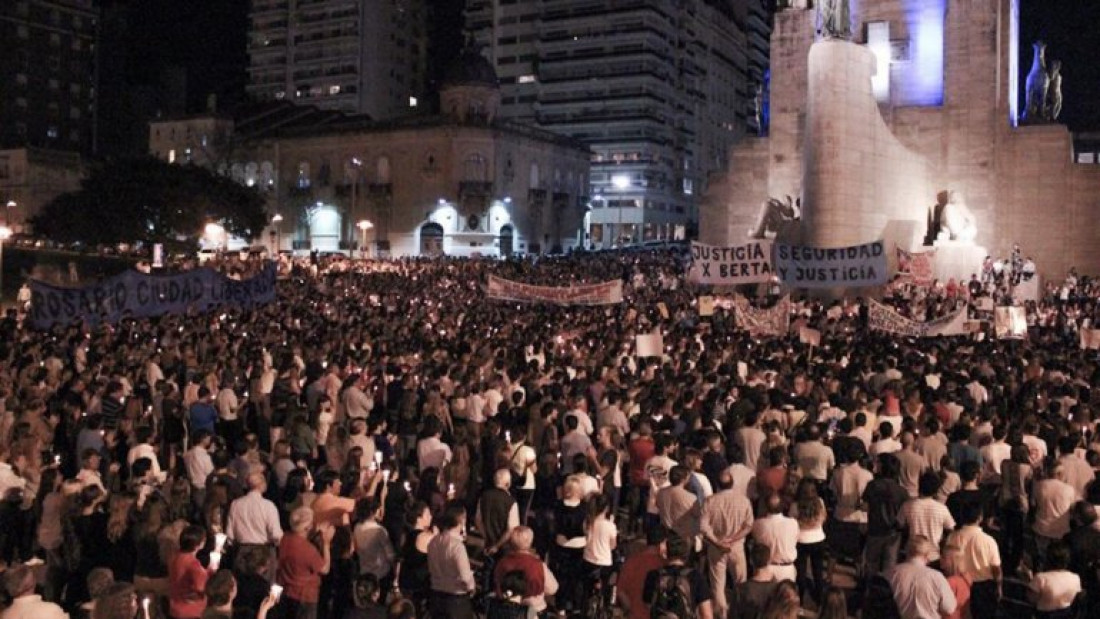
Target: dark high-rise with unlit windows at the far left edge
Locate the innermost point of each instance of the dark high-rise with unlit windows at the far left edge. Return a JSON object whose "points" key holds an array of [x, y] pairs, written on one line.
{"points": [[48, 70]]}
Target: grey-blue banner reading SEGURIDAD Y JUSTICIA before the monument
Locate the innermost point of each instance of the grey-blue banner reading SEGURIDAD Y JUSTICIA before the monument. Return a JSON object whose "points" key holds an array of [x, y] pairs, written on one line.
{"points": [[839, 268]]}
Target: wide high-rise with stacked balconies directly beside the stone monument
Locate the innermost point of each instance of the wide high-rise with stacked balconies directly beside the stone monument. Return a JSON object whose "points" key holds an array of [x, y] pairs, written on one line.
{"points": [[659, 91]]}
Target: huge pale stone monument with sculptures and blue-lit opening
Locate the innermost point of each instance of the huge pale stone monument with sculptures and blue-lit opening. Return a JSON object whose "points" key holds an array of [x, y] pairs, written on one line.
{"points": [[927, 95]]}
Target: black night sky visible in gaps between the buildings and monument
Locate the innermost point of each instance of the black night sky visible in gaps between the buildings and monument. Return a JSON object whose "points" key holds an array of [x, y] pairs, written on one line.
{"points": [[207, 40]]}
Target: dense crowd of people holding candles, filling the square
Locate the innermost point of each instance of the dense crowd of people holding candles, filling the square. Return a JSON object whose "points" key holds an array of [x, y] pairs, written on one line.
{"points": [[386, 441]]}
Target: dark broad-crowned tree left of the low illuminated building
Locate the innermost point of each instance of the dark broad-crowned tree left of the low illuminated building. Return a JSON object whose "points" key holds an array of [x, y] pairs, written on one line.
{"points": [[151, 202]]}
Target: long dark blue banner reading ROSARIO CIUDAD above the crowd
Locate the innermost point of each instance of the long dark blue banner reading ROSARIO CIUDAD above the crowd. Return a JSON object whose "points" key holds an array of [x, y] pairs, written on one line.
{"points": [[137, 295]]}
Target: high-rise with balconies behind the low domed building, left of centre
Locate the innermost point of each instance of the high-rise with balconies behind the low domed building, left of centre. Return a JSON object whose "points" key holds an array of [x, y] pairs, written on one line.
{"points": [[365, 57]]}
